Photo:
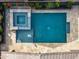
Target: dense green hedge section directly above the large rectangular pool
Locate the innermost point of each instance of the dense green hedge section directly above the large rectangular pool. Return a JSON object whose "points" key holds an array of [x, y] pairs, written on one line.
{"points": [[50, 5]]}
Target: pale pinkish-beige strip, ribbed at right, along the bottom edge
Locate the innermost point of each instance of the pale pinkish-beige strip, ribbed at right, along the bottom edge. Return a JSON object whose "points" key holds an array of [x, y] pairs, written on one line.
{"points": [[67, 55]]}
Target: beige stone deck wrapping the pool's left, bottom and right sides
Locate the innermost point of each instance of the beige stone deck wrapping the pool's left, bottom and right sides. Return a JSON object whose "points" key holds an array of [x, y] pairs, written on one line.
{"points": [[72, 38]]}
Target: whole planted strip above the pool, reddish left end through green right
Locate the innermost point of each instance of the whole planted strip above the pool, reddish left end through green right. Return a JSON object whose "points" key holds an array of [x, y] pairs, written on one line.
{"points": [[42, 5]]}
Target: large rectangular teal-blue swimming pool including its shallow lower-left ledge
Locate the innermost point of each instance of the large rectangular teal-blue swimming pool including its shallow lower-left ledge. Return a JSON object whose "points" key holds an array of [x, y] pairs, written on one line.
{"points": [[46, 28]]}
